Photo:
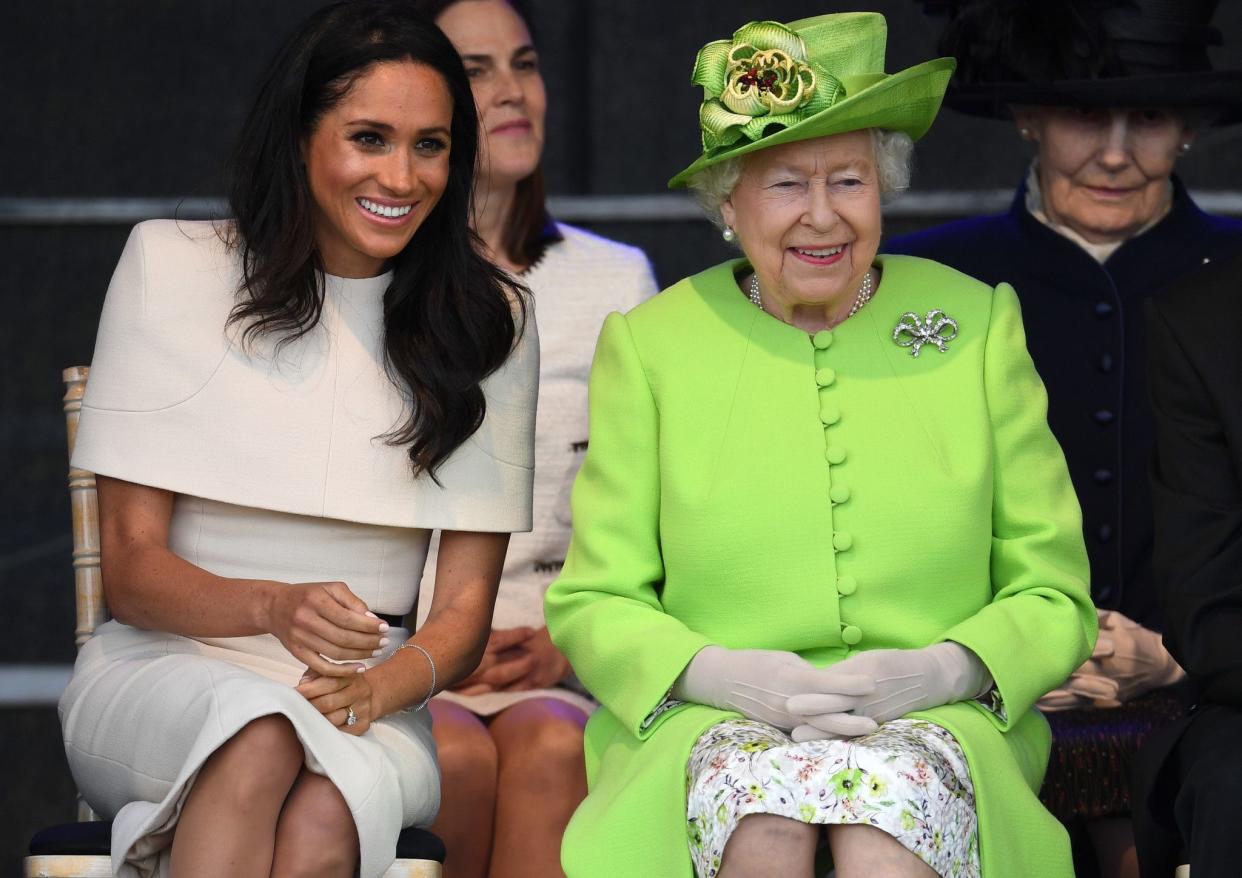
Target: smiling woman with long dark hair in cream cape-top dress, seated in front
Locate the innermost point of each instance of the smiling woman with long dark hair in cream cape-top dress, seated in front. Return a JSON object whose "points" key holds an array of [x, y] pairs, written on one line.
{"points": [[281, 409]]}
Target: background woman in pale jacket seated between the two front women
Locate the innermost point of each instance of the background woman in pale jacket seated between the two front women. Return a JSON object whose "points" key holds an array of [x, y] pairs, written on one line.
{"points": [[511, 736]]}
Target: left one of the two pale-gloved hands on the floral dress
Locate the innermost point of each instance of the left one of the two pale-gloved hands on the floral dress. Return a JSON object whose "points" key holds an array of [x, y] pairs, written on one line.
{"points": [[757, 684]]}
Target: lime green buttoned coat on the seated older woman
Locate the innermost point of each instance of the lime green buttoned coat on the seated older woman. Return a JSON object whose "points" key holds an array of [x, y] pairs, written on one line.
{"points": [[751, 486]]}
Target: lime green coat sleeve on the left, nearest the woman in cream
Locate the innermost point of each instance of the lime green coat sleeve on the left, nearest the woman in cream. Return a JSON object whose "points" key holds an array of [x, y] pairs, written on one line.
{"points": [[604, 612]]}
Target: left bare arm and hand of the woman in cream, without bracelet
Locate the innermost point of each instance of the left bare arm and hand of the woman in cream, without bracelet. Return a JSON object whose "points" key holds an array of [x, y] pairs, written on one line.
{"points": [[150, 587]]}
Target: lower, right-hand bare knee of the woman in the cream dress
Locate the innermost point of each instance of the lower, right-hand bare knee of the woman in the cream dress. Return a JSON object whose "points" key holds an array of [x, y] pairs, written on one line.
{"points": [[319, 836]]}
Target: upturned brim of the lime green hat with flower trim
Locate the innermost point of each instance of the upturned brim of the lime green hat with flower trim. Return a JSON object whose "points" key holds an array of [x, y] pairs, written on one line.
{"points": [[907, 101]]}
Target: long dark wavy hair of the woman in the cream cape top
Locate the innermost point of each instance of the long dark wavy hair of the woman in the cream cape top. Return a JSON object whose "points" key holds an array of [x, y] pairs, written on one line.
{"points": [[450, 317]]}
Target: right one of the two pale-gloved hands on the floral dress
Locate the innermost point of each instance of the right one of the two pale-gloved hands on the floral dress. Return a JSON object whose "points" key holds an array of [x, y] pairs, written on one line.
{"points": [[904, 681]]}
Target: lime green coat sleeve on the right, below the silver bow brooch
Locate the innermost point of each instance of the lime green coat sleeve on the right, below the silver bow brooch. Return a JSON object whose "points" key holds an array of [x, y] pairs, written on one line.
{"points": [[1041, 624]]}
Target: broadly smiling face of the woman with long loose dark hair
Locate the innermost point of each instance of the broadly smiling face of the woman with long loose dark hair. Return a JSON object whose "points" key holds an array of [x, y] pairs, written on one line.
{"points": [[377, 165]]}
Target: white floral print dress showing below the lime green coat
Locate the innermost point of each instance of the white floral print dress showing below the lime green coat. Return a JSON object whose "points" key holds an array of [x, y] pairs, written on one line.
{"points": [[910, 779]]}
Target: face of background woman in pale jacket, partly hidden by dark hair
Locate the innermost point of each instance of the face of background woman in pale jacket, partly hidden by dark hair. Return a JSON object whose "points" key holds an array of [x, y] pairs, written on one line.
{"points": [[504, 71]]}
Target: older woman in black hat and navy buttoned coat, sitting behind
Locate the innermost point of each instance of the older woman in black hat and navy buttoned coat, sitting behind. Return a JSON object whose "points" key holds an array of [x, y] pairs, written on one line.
{"points": [[1111, 95]]}
